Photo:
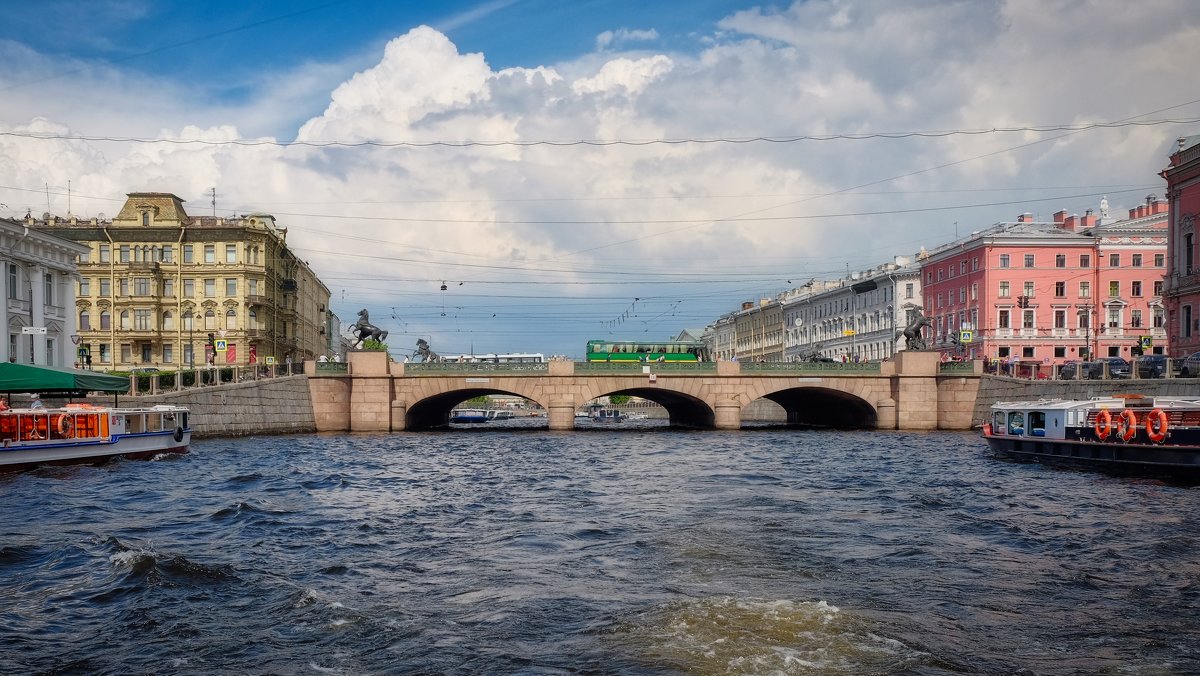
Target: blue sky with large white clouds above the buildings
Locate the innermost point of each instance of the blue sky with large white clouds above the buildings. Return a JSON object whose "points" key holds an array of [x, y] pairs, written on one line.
{"points": [[597, 169]]}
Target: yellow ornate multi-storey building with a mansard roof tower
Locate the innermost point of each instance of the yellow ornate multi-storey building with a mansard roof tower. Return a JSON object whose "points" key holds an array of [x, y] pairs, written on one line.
{"points": [[164, 289]]}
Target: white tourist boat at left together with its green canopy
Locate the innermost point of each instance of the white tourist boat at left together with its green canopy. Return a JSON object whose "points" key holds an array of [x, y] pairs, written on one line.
{"points": [[82, 433]]}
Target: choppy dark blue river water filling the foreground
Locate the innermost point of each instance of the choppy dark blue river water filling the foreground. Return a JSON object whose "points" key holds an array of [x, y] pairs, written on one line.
{"points": [[614, 551]]}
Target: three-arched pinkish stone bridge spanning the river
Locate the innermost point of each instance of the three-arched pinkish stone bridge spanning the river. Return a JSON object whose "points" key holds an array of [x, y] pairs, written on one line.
{"points": [[914, 392]]}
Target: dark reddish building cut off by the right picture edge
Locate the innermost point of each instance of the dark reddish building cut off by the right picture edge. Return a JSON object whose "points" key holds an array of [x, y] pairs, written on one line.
{"points": [[1183, 294]]}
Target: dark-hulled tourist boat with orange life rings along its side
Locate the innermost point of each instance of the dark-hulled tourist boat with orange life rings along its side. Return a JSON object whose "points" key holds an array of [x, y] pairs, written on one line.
{"points": [[1149, 436]]}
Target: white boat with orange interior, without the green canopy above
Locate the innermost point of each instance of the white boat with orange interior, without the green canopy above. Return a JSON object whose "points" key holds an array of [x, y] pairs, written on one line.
{"points": [[80, 433]]}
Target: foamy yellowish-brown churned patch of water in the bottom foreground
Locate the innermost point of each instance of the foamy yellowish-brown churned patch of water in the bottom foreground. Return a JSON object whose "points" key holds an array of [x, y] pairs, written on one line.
{"points": [[728, 635]]}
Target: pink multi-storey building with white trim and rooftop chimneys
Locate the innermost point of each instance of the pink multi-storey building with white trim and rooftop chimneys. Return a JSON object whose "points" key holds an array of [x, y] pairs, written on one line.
{"points": [[1051, 292]]}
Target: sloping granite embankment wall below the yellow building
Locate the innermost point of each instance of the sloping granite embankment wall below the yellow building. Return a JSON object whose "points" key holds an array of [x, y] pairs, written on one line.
{"points": [[272, 406]]}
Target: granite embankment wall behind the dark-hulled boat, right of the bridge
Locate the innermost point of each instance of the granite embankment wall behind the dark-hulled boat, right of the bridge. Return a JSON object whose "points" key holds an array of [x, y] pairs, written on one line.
{"points": [[1001, 388]]}
